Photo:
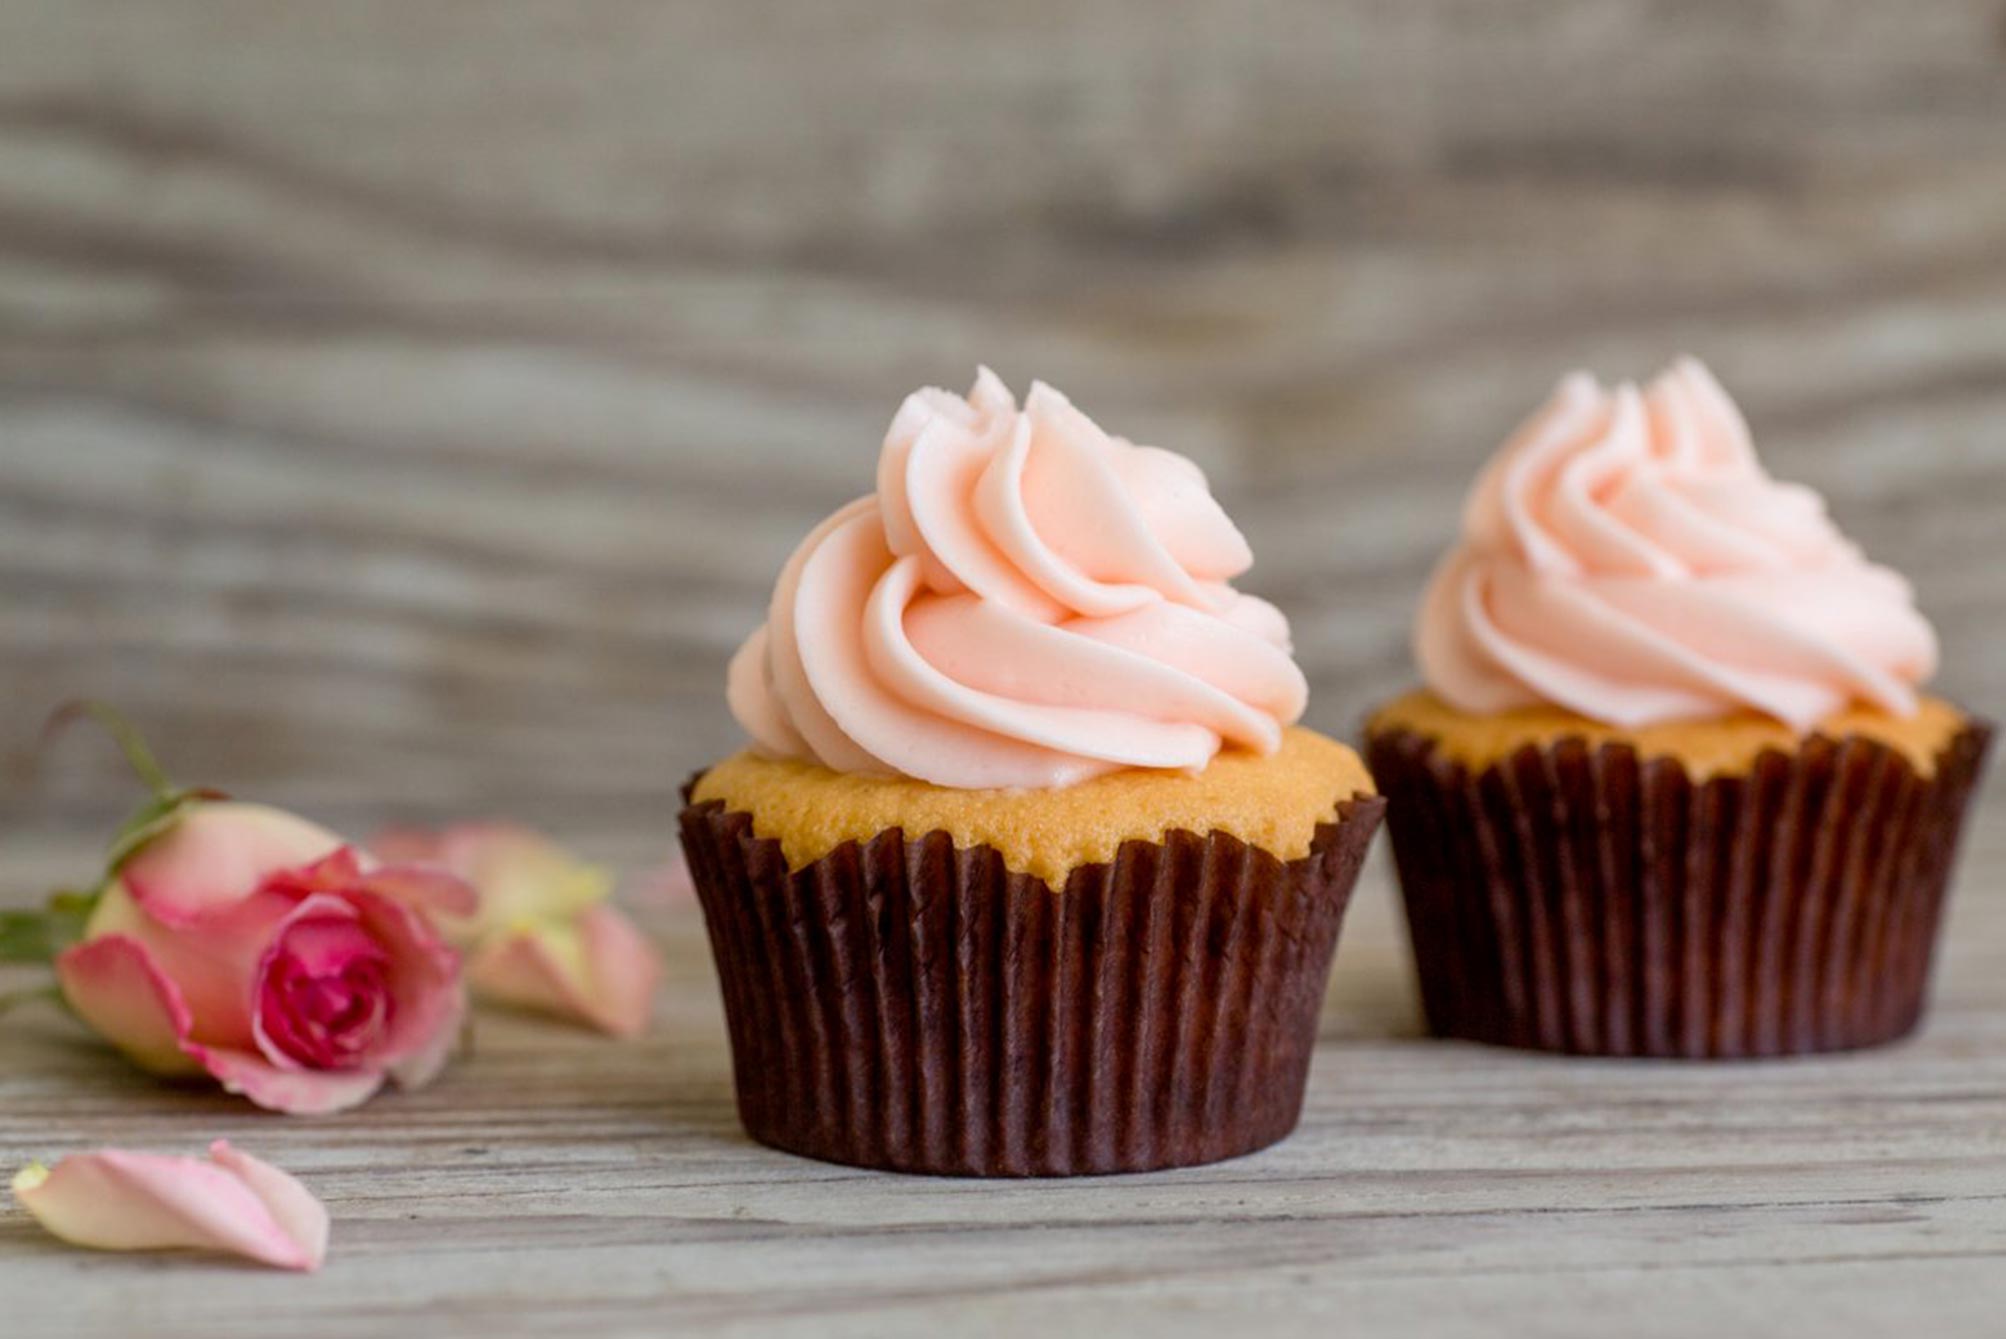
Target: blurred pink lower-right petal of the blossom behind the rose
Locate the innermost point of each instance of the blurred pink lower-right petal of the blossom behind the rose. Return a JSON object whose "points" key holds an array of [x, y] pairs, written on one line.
{"points": [[599, 971]]}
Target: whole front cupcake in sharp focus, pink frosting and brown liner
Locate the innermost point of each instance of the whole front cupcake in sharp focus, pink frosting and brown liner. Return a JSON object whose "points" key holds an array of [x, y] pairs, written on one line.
{"points": [[1028, 868]]}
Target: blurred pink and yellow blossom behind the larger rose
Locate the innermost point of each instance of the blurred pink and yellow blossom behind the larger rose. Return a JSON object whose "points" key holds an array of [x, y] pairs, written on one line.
{"points": [[547, 936]]}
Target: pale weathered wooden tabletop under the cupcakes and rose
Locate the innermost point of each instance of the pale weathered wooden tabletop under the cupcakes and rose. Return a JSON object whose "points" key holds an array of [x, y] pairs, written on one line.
{"points": [[559, 1181]]}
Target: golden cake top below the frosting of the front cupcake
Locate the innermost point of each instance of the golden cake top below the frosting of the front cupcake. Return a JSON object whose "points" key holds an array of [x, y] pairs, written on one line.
{"points": [[1269, 802]]}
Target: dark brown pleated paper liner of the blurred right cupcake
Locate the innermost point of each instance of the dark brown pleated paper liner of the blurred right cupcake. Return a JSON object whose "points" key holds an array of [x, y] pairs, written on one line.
{"points": [[1578, 900]]}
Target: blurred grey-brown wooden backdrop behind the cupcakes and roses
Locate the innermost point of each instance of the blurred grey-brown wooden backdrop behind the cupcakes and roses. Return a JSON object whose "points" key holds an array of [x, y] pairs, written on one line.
{"points": [[404, 409]]}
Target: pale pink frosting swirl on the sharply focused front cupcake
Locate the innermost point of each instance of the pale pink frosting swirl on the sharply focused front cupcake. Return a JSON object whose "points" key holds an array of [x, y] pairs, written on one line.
{"points": [[1024, 603]]}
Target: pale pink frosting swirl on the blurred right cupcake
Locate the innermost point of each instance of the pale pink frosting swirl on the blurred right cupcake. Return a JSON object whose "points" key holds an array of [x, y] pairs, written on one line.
{"points": [[1626, 557]]}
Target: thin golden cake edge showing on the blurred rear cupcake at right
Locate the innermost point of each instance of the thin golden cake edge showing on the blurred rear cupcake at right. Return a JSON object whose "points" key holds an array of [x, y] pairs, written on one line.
{"points": [[1704, 748]]}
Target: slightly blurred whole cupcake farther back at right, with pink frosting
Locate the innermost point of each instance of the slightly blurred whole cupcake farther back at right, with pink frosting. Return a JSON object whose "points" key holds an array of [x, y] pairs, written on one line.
{"points": [[1672, 788]]}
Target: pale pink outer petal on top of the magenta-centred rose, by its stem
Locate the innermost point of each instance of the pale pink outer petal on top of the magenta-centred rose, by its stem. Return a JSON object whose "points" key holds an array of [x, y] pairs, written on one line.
{"points": [[220, 854]]}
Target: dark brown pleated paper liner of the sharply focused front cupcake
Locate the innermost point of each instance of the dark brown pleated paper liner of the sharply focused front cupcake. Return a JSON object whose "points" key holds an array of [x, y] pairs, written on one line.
{"points": [[916, 1007]]}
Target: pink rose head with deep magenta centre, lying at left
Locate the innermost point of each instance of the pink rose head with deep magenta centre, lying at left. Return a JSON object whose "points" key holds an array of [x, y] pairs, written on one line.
{"points": [[250, 945]]}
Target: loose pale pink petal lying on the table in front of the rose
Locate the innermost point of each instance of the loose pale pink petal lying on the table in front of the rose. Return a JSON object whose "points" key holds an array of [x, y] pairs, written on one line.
{"points": [[137, 1201]]}
